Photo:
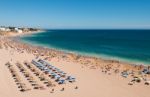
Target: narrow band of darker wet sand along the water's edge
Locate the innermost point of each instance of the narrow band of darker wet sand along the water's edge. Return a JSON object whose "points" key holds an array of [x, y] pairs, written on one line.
{"points": [[15, 39]]}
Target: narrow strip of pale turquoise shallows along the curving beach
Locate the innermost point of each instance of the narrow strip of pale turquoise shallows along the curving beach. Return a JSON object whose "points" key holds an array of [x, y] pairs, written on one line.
{"points": [[84, 54]]}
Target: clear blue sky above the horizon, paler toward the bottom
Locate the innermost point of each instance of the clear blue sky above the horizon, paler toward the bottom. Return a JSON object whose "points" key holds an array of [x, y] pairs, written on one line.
{"points": [[76, 13]]}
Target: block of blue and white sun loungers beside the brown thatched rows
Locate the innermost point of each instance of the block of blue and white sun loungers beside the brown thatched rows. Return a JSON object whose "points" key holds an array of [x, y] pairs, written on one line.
{"points": [[59, 76]]}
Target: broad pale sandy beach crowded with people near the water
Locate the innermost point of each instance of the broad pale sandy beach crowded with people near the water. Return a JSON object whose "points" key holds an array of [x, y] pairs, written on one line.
{"points": [[94, 77]]}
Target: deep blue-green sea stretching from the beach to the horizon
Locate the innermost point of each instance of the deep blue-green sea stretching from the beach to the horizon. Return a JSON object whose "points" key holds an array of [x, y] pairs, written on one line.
{"points": [[123, 45]]}
